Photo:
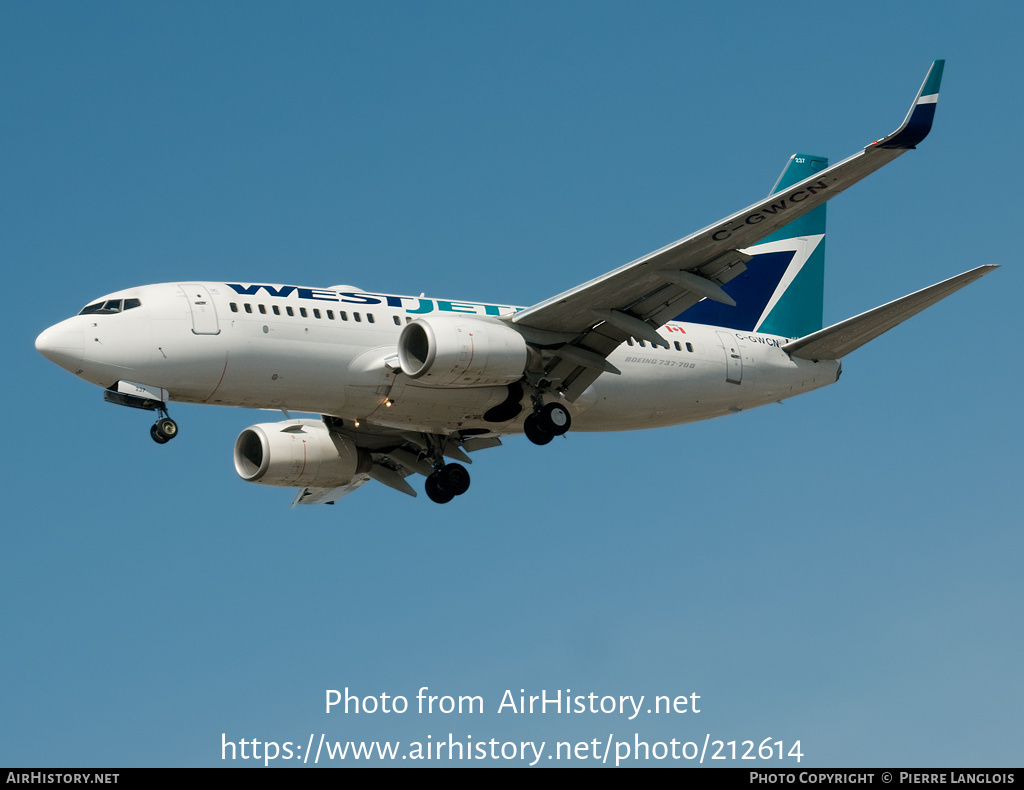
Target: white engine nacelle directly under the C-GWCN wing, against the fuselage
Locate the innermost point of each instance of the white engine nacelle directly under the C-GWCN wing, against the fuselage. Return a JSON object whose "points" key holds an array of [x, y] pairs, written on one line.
{"points": [[462, 352]]}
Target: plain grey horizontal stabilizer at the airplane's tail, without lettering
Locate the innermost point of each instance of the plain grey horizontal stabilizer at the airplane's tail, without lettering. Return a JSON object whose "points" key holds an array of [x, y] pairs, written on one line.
{"points": [[838, 341]]}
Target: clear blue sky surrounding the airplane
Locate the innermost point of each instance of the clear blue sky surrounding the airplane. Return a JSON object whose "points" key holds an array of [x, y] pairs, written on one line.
{"points": [[843, 569]]}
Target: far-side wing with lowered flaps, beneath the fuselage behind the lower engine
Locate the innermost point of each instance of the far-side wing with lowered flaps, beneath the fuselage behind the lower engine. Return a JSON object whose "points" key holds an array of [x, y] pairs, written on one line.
{"points": [[396, 455]]}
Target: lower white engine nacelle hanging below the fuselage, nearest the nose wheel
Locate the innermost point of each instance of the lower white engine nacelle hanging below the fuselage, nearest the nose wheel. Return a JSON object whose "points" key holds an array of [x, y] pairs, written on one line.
{"points": [[297, 453]]}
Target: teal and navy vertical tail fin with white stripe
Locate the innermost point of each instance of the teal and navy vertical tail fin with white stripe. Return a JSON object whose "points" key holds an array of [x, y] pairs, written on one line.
{"points": [[783, 290]]}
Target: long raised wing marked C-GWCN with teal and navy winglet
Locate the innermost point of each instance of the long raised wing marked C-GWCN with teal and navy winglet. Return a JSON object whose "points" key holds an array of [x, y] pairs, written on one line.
{"points": [[580, 328]]}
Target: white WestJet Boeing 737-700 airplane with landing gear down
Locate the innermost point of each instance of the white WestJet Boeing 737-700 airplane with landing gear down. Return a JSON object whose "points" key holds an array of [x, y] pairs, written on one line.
{"points": [[724, 320]]}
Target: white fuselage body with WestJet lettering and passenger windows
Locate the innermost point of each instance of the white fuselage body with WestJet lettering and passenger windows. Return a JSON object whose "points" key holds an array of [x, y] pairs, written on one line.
{"points": [[334, 352]]}
